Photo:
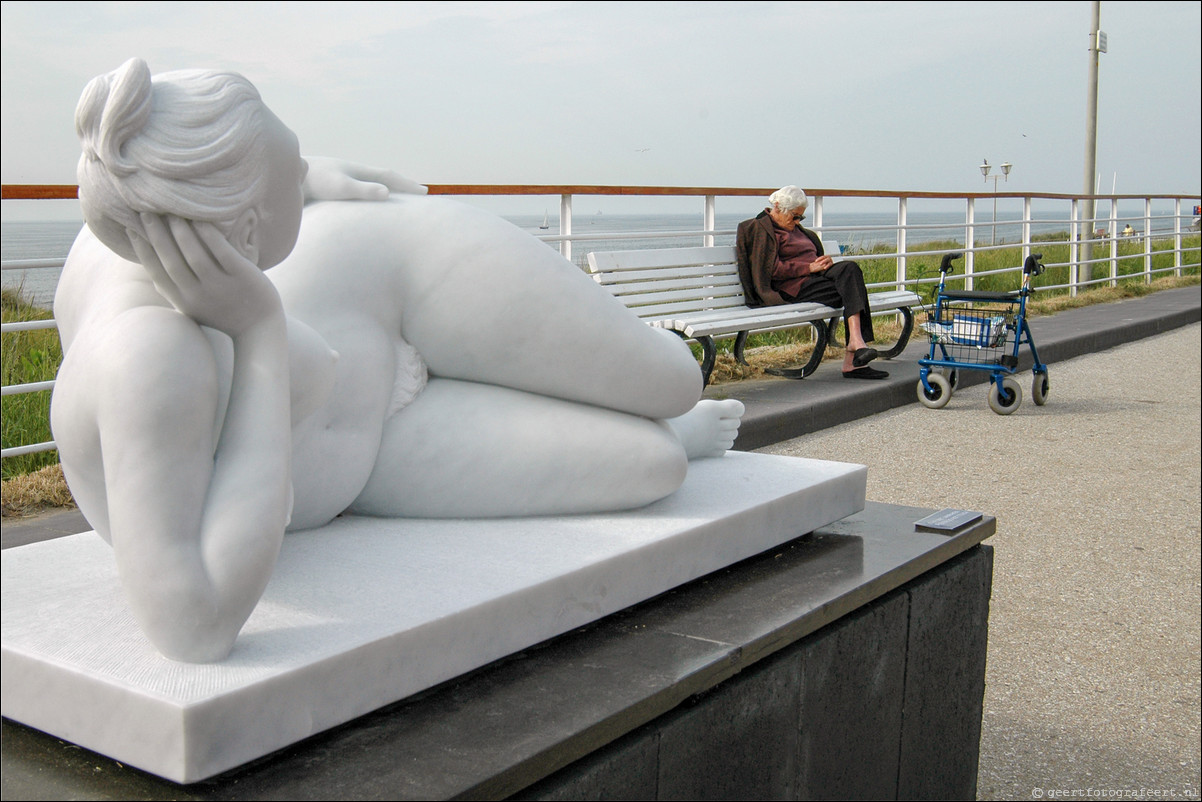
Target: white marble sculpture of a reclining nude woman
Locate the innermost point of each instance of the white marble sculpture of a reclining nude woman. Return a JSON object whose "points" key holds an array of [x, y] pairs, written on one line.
{"points": [[406, 357]]}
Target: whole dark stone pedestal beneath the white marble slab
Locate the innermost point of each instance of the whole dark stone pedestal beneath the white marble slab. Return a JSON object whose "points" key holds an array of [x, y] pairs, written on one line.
{"points": [[847, 664]]}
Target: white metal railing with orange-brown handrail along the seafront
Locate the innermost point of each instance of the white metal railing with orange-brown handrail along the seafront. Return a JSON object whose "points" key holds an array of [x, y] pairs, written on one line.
{"points": [[1161, 233]]}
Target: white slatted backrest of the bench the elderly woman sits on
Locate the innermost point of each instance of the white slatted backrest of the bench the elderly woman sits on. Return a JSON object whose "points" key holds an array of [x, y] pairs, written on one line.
{"points": [[663, 282]]}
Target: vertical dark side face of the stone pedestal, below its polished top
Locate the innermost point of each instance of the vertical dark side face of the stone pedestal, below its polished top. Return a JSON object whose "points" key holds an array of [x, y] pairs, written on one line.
{"points": [[884, 704]]}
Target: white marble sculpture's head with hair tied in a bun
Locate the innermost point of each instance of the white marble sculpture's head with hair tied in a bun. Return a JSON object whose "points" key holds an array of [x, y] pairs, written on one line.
{"points": [[197, 145]]}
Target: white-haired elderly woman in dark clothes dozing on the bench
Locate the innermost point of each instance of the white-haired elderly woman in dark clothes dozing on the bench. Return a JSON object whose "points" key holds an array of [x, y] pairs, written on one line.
{"points": [[783, 263]]}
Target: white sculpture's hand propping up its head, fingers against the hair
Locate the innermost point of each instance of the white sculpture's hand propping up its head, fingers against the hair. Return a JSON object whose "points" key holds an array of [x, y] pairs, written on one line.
{"points": [[194, 268]]}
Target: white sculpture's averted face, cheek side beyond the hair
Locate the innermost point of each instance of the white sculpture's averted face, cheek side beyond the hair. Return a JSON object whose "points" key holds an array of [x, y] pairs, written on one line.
{"points": [[284, 195]]}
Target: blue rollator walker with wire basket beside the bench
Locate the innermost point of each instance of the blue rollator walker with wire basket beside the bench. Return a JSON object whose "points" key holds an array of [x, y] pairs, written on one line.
{"points": [[981, 331]]}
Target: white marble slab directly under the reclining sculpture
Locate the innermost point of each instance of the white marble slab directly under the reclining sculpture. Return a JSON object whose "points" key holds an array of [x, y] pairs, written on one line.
{"points": [[367, 611]]}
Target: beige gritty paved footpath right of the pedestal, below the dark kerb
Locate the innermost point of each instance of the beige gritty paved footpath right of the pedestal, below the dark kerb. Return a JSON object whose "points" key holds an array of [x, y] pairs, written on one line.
{"points": [[1093, 680]]}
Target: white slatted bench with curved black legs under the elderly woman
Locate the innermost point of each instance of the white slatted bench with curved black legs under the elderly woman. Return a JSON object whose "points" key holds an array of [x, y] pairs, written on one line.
{"points": [[697, 294]]}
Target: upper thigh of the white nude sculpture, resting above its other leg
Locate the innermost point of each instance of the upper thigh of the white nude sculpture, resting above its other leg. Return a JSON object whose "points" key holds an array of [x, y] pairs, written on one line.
{"points": [[527, 319]]}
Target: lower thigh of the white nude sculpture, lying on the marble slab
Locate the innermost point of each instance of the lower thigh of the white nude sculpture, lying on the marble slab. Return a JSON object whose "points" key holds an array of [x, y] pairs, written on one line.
{"points": [[472, 450]]}
